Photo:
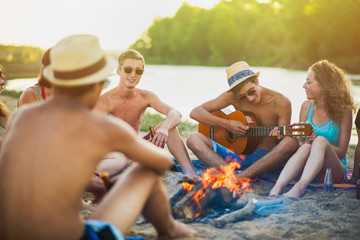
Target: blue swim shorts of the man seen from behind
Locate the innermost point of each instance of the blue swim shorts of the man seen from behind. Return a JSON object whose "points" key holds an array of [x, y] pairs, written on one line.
{"points": [[101, 230]]}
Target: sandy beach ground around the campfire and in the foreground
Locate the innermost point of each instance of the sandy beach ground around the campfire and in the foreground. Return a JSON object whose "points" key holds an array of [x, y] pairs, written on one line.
{"points": [[317, 215]]}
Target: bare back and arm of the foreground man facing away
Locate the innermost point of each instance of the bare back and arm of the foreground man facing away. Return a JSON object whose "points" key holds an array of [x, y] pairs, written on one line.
{"points": [[47, 159]]}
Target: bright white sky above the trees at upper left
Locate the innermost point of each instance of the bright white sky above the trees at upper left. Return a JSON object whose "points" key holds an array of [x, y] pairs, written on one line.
{"points": [[117, 23]]}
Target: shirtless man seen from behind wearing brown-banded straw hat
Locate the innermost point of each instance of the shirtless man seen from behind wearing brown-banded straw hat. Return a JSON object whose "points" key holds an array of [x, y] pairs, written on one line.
{"points": [[41, 187]]}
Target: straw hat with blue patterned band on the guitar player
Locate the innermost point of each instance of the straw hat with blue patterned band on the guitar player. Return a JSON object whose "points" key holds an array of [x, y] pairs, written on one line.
{"points": [[239, 72]]}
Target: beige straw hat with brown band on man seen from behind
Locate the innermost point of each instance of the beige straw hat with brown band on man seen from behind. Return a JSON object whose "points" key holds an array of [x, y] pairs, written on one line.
{"points": [[78, 60]]}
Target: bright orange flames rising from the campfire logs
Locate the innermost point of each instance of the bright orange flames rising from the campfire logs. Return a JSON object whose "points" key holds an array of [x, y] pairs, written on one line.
{"points": [[217, 178]]}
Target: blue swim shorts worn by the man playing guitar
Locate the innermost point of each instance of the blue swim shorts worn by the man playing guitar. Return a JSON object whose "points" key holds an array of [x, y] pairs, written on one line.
{"points": [[244, 160]]}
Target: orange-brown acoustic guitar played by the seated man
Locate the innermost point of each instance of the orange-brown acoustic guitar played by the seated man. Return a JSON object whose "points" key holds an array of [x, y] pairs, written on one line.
{"points": [[247, 144]]}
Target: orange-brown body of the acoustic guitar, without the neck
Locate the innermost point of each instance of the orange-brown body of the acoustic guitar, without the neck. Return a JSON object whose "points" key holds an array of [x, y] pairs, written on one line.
{"points": [[239, 145]]}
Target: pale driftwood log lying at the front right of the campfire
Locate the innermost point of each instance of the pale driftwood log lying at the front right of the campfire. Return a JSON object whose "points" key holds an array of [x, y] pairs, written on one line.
{"points": [[237, 215]]}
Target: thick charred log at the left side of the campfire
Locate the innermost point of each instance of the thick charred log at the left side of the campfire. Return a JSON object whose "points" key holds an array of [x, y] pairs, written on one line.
{"points": [[187, 207]]}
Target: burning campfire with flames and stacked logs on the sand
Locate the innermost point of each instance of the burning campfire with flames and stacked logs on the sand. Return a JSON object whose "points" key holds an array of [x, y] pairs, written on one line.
{"points": [[219, 199]]}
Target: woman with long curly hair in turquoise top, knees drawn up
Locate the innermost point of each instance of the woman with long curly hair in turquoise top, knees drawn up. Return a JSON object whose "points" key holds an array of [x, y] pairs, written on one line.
{"points": [[329, 110]]}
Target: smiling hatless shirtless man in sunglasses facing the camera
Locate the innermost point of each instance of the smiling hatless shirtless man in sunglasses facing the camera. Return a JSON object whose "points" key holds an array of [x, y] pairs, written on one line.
{"points": [[129, 103]]}
